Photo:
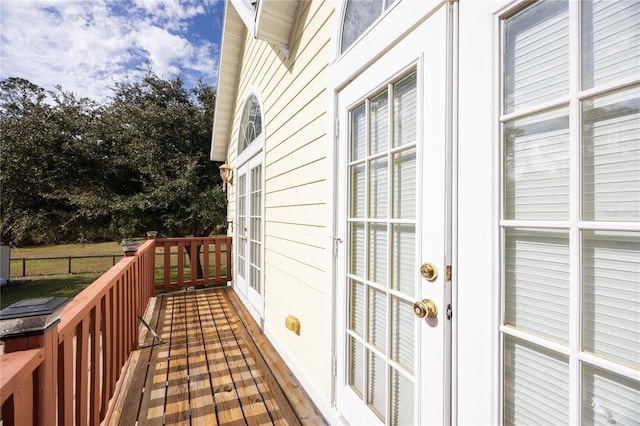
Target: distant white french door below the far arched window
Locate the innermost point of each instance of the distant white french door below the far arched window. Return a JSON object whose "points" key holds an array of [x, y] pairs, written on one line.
{"points": [[249, 245]]}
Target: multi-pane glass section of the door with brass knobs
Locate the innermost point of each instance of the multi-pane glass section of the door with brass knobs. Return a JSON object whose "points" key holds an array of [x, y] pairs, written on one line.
{"points": [[381, 280]]}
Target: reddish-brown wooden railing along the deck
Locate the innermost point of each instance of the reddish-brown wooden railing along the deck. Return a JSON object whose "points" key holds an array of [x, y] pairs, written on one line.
{"points": [[71, 371]]}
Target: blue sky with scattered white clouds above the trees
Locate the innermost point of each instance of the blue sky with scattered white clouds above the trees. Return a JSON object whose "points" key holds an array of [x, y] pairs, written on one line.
{"points": [[85, 46]]}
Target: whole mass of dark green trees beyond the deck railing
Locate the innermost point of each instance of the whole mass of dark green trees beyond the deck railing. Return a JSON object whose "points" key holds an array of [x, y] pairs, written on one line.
{"points": [[73, 169]]}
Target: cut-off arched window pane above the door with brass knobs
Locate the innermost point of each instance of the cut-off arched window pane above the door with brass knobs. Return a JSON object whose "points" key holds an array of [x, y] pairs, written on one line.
{"points": [[358, 16]]}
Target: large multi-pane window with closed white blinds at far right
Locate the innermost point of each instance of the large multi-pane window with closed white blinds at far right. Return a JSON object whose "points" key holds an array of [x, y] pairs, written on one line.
{"points": [[571, 213]]}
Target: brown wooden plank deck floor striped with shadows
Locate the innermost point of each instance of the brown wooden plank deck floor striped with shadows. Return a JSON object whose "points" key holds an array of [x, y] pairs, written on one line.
{"points": [[214, 367]]}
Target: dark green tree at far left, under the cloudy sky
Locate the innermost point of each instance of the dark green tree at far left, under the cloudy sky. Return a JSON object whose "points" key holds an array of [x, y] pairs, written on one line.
{"points": [[49, 163]]}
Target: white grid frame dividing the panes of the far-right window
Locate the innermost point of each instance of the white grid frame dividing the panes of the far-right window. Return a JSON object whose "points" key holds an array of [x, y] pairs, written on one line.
{"points": [[575, 224]]}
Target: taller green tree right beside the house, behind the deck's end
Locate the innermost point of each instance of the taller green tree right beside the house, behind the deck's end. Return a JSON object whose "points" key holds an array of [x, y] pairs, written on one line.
{"points": [[160, 134]]}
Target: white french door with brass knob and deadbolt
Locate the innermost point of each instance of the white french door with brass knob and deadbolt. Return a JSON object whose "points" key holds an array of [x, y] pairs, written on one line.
{"points": [[393, 329]]}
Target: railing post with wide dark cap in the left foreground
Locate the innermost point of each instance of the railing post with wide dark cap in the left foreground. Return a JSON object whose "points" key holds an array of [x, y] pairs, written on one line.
{"points": [[31, 324]]}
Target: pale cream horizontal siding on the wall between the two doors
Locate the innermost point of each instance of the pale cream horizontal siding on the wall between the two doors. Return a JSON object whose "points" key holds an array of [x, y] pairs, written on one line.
{"points": [[293, 100]]}
